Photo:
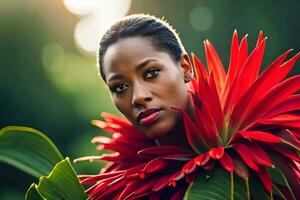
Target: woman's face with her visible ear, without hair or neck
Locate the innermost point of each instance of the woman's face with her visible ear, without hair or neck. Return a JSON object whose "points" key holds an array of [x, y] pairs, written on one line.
{"points": [[145, 83]]}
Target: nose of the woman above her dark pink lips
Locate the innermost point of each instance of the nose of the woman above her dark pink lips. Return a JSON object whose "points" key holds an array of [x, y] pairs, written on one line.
{"points": [[141, 95]]}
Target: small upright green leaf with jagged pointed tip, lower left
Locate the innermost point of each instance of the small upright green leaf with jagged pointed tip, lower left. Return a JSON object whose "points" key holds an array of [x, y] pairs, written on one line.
{"points": [[62, 183]]}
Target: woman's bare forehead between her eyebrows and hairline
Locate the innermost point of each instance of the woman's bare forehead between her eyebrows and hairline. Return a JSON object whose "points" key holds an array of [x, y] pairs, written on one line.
{"points": [[129, 52]]}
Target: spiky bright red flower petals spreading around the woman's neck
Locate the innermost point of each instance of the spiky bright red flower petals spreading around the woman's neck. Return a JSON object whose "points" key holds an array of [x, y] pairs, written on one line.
{"points": [[246, 122]]}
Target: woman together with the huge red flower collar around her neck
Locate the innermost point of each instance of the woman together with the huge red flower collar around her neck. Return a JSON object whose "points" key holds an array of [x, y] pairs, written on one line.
{"points": [[180, 128]]}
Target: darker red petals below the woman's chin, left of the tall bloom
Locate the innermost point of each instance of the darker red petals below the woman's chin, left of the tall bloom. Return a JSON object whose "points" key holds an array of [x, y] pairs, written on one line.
{"points": [[139, 168]]}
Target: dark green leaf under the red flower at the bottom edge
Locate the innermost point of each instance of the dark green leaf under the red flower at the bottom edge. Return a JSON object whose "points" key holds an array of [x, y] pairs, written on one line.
{"points": [[216, 186]]}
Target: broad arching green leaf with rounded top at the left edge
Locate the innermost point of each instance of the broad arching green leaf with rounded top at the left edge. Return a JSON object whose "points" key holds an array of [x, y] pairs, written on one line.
{"points": [[28, 149]]}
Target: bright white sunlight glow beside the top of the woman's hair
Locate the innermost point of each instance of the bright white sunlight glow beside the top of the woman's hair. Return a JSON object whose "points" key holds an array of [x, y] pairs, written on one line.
{"points": [[97, 16]]}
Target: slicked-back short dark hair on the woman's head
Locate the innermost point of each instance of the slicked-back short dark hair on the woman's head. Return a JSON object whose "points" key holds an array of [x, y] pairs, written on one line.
{"points": [[161, 34]]}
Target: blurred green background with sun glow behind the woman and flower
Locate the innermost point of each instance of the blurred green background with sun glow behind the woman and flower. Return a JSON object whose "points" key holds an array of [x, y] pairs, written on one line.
{"points": [[48, 73]]}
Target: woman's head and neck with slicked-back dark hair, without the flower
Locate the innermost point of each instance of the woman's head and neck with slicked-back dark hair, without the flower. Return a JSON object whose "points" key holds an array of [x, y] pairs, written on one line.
{"points": [[146, 69]]}
